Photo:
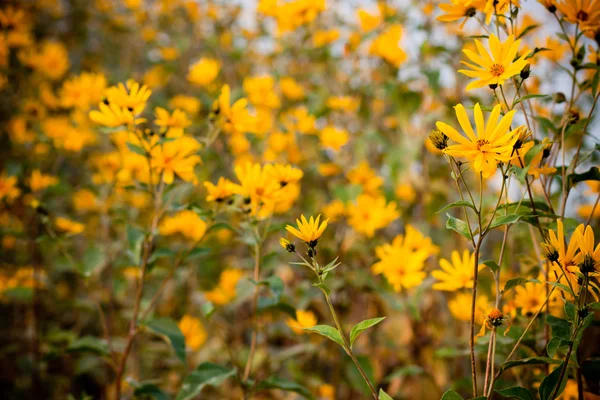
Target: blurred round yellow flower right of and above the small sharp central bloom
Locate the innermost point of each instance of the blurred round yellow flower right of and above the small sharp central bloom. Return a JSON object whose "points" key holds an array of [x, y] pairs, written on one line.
{"points": [[371, 213]]}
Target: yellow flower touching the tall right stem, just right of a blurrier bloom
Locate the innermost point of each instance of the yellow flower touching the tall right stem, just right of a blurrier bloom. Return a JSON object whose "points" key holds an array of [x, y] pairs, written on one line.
{"points": [[457, 274]]}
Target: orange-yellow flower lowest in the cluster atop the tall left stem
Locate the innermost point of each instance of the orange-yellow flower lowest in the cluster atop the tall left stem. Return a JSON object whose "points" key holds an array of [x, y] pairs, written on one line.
{"points": [[176, 157]]}
